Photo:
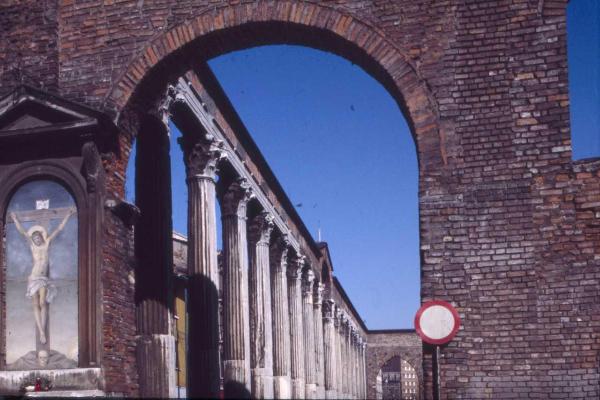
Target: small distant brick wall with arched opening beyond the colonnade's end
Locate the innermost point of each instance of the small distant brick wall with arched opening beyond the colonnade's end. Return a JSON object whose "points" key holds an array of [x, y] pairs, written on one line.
{"points": [[377, 358]]}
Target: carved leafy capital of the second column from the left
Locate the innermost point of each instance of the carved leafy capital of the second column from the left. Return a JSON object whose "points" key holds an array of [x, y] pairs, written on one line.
{"points": [[201, 155]]}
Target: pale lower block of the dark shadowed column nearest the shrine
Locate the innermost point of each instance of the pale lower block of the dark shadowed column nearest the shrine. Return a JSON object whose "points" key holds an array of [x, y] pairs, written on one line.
{"points": [[156, 365]]}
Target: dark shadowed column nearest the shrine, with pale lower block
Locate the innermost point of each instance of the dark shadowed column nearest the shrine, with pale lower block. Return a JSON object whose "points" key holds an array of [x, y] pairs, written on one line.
{"points": [[154, 250]]}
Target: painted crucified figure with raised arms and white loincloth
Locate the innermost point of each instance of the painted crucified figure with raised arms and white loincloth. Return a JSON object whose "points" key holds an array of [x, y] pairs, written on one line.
{"points": [[39, 288]]}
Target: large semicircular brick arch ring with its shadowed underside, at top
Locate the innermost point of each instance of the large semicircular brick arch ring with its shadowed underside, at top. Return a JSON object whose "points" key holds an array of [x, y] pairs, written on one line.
{"points": [[215, 31]]}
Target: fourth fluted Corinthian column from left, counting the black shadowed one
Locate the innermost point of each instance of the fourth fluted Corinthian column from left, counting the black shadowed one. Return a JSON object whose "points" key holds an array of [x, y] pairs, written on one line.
{"points": [[261, 339]]}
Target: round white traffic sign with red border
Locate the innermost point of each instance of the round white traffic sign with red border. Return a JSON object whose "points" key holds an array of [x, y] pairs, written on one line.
{"points": [[437, 322]]}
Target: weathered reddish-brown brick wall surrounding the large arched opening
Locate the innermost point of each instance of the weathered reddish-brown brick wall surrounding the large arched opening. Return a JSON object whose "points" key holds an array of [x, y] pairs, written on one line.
{"points": [[509, 224]]}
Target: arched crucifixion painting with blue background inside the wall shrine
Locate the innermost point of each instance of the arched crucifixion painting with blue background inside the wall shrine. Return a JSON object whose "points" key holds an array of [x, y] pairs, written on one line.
{"points": [[42, 295]]}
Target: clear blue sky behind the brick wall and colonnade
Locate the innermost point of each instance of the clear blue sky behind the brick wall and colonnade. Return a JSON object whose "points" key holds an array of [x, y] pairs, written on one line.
{"points": [[340, 146]]}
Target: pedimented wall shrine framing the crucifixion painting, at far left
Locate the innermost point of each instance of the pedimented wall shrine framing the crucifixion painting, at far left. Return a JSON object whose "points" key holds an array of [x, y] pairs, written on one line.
{"points": [[51, 208]]}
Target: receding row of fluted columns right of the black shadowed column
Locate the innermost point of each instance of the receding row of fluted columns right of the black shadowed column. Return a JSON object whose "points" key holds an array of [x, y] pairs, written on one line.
{"points": [[279, 341]]}
